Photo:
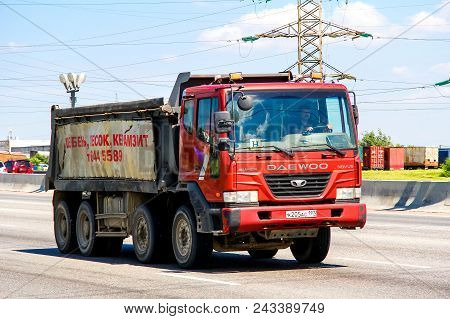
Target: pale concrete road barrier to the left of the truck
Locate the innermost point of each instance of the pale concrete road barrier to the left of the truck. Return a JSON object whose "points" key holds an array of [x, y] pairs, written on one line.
{"points": [[22, 182]]}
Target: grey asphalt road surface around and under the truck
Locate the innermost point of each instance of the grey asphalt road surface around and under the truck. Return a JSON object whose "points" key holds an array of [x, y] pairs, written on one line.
{"points": [[397, 255]]}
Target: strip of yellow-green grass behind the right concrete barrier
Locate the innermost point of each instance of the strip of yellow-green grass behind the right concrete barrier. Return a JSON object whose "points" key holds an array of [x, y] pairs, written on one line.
{"points": [[411, 175]]}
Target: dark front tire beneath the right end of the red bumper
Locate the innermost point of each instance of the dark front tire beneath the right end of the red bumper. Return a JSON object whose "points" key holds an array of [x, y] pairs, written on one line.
{"points": [[312, 250]]}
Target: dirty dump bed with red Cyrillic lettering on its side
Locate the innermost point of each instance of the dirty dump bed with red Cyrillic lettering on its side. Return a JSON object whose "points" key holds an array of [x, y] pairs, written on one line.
{"points": [[129, 143]]}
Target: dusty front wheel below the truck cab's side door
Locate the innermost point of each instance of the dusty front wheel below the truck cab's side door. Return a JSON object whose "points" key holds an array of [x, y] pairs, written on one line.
{"points": [[191, 249]]}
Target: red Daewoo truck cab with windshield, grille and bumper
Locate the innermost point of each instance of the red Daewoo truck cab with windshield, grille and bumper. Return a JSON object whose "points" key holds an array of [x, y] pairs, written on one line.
{"points": [[273, 163]]}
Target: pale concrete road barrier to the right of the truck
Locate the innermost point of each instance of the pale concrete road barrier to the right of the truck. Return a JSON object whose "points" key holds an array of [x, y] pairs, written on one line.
{"points": [[407, 195]]}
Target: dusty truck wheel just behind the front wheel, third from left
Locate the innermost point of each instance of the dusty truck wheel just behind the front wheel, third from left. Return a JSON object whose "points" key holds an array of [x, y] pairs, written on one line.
{"points": [[147, 239]]}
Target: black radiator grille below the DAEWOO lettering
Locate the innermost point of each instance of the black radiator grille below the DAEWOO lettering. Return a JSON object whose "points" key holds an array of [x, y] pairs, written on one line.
{"points": [[281, 186]]}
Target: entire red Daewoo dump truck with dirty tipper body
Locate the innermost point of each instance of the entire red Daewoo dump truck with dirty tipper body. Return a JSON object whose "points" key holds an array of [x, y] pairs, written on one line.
{"points": [[251, 163]]}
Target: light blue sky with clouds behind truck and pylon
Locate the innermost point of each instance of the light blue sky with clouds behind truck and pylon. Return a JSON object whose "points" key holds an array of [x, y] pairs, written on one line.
{"points": [[146, 44]]}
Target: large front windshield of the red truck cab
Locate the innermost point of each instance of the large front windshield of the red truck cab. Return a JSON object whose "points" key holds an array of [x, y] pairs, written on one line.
{"points": [[293, 119]]}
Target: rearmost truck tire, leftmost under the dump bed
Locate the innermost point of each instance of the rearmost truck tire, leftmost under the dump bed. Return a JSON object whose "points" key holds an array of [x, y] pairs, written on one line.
{"points": [[64, 229]]}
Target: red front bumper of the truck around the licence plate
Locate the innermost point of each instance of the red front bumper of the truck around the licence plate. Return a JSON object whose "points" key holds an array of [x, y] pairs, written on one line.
{"points": [[260, 218]]}
